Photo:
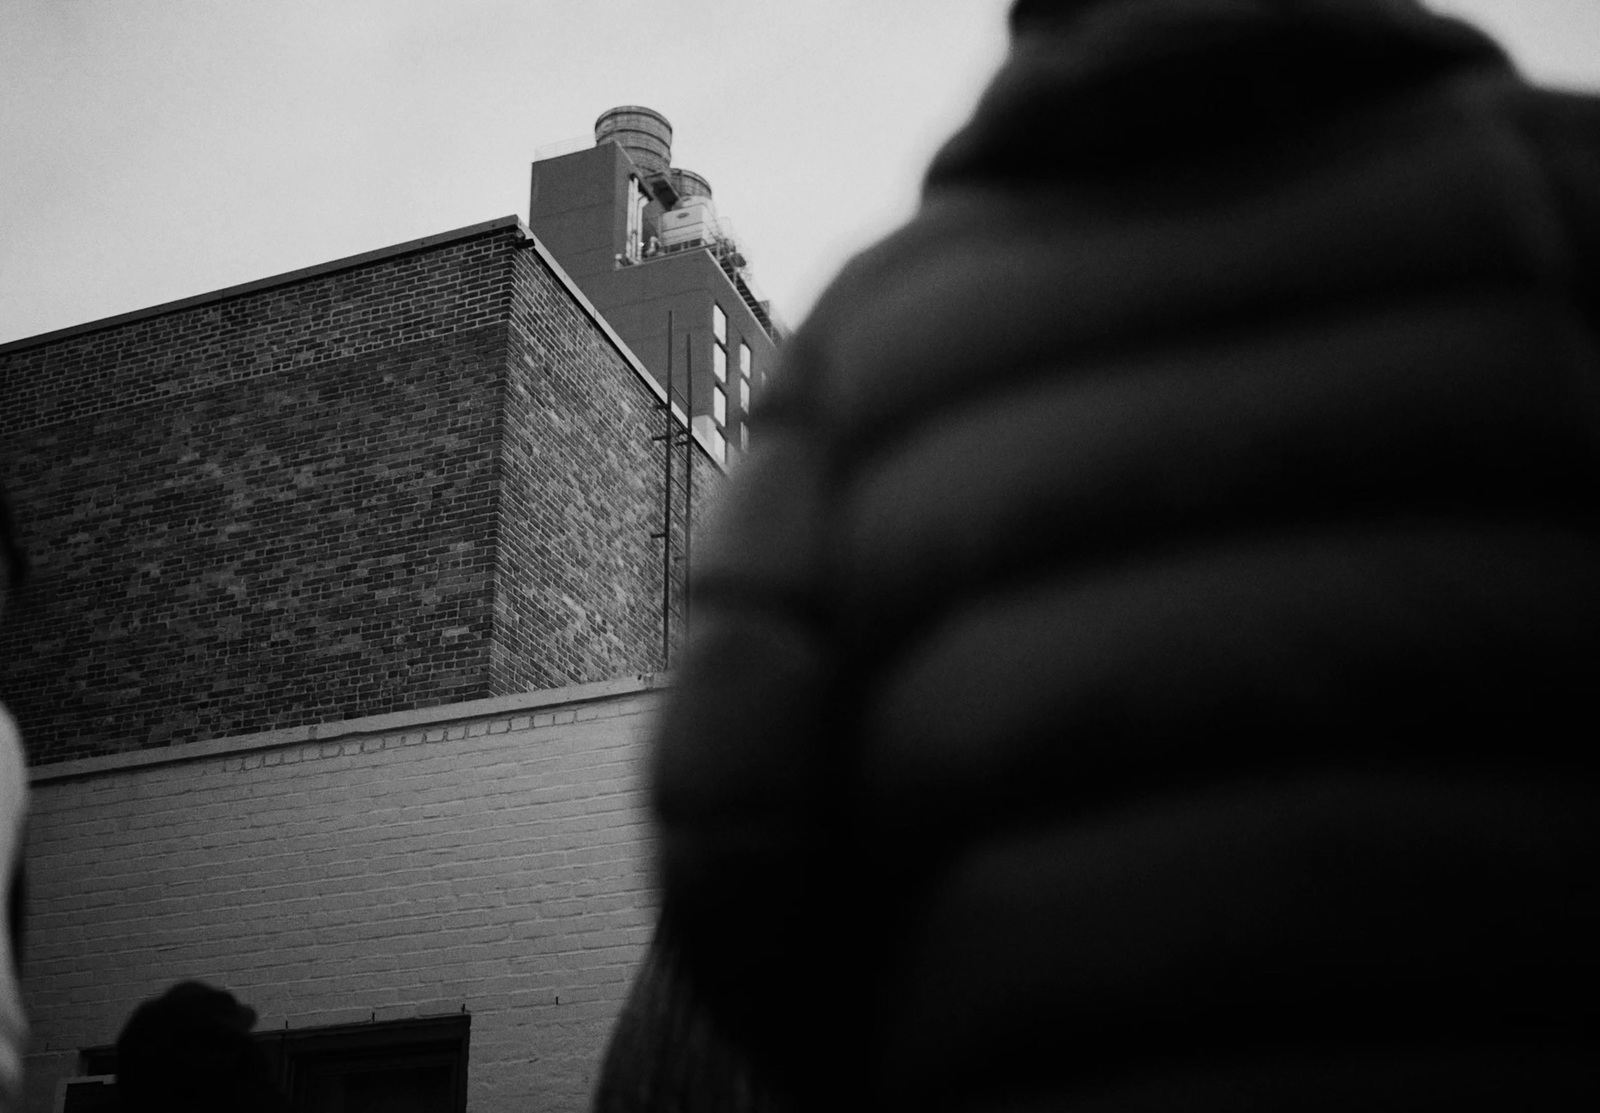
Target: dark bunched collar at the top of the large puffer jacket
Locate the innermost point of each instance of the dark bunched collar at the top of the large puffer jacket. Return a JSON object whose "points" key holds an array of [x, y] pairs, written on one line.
{"points": [[1108, 87]]}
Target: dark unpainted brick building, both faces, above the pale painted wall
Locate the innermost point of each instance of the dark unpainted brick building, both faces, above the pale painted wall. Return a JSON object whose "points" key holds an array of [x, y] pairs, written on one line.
{"points": [[418, 481]]}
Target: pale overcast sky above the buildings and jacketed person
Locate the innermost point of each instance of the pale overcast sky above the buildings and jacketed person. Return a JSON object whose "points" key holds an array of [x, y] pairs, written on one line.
{"points": [[156, 150]]}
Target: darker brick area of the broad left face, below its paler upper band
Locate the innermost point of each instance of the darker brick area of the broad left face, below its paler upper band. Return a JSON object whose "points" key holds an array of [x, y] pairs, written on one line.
{"points": [[292, 549]]}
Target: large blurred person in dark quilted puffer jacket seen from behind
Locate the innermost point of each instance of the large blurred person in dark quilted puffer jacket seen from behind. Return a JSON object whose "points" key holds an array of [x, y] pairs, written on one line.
{"points": [[1150, 656]]}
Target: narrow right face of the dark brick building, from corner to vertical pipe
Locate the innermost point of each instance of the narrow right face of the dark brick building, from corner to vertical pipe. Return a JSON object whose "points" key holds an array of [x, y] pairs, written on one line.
{"points": [[582, 495]]}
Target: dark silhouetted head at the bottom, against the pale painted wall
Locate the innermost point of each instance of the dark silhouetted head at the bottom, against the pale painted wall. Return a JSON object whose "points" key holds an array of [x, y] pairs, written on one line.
{"points": [[188, 1051]]}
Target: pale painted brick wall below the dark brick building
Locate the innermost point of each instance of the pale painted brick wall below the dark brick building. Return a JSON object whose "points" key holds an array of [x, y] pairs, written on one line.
{"points": [[495, 863]]}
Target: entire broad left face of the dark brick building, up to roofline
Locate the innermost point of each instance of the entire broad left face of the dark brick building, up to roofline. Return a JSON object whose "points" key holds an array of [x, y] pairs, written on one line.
{"points": [[260, 513]]}
